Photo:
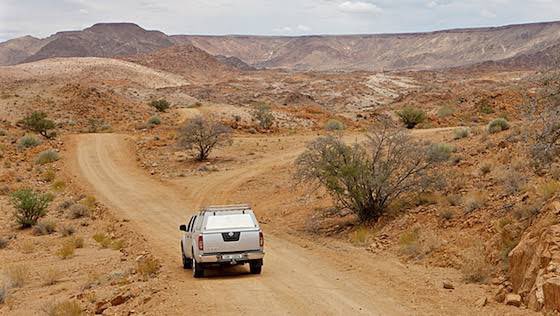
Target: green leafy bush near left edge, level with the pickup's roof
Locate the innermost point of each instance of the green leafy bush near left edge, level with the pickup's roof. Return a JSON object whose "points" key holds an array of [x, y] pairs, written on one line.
{"points": [[29, 206]]}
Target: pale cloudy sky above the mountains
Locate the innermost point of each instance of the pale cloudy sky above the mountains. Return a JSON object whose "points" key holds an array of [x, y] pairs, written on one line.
{"points": [[42, 18]]}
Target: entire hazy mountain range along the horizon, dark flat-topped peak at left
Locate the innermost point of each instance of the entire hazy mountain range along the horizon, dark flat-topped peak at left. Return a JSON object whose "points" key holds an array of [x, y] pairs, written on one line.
{"points": [[408, 51]]}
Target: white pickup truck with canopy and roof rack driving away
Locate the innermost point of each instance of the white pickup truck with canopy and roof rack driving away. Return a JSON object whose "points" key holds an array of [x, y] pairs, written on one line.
{"points": [[220, 236]]}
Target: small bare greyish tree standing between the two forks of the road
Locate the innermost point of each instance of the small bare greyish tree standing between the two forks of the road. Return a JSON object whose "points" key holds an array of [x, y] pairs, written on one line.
{"points": [[202, 135]]}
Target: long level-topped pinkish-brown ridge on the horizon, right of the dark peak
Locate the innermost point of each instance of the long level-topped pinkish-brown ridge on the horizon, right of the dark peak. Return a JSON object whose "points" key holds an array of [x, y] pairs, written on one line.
{"points": [[433, 50]]}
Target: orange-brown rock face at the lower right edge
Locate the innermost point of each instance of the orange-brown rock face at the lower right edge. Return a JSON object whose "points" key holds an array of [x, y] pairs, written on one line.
{"points": [[534, 265]]}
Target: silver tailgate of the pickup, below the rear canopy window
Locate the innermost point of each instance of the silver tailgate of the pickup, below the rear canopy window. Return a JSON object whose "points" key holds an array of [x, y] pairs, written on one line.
{"points": [[231, 241]]}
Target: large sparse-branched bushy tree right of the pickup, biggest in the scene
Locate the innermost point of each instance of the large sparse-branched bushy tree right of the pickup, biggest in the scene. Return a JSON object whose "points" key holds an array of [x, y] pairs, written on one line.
{"points": [[367, 178]]}
